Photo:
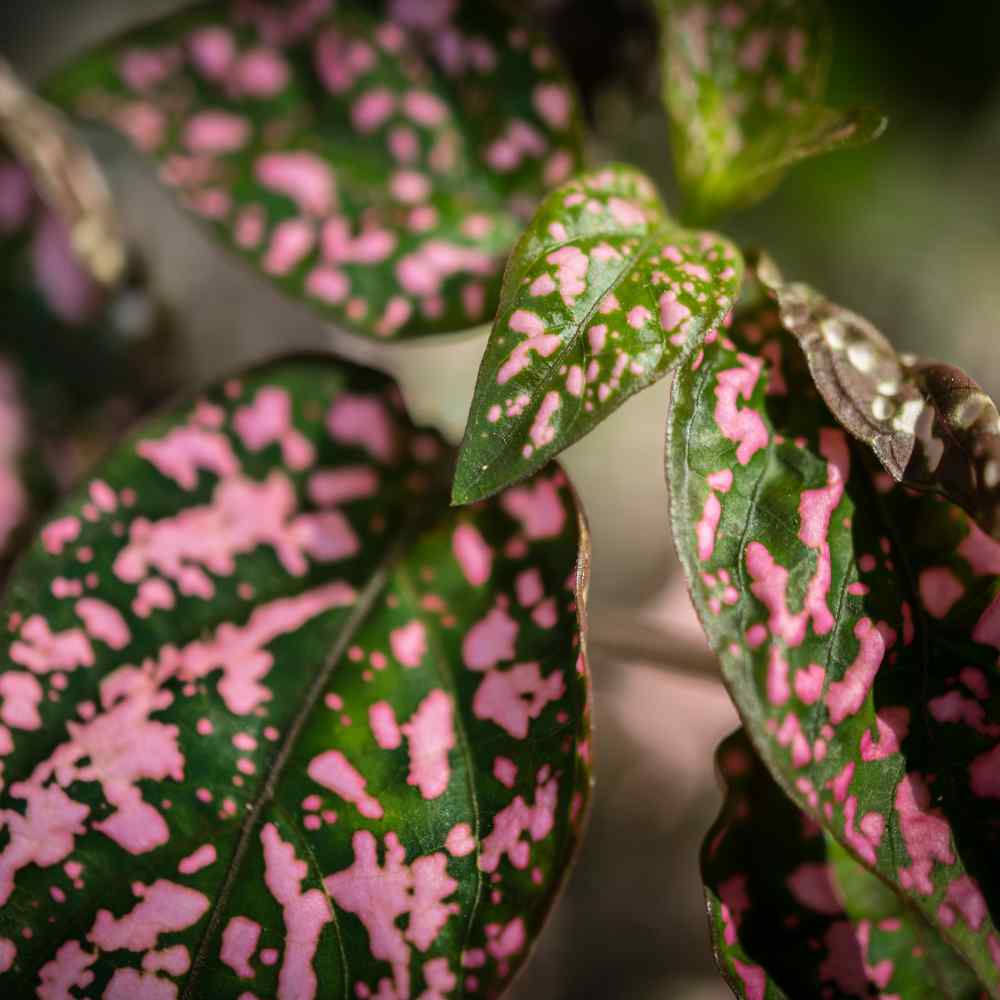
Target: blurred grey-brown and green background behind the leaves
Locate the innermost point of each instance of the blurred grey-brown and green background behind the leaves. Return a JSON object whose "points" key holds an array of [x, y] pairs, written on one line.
{"points": [[906, 232]]}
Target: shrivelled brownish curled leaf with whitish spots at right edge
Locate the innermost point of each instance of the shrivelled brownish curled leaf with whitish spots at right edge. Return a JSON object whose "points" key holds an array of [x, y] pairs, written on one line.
{"points": [[930, 425]]}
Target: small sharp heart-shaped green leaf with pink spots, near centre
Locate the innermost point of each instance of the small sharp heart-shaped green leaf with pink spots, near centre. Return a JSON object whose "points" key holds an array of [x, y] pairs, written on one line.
{"points": [[602, 296]]}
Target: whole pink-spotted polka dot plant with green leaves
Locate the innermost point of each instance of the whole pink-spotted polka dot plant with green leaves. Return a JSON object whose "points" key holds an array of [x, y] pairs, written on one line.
{"points": [[277, 720]]}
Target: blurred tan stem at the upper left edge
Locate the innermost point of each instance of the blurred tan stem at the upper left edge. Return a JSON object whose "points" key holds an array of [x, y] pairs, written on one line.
{"points": [[67, 175]]}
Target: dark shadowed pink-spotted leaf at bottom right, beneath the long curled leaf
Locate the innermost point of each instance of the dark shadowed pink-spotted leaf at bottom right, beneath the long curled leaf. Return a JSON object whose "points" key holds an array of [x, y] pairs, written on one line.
{"points": [[793, 915]]}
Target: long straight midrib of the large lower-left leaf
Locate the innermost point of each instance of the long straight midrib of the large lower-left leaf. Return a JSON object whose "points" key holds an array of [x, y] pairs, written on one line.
{"points": [[424, 514]]}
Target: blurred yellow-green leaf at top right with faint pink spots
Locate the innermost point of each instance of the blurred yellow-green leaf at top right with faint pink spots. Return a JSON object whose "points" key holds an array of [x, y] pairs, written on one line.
{"points": [[743, 85]]}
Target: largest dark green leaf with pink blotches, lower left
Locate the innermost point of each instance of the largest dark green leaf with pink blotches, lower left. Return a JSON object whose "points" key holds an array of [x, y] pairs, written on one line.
{"points": [[280, 723]]}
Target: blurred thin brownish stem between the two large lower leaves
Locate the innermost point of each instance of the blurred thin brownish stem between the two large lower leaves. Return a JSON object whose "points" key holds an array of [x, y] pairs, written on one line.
{"points": [[617, 635]]}
